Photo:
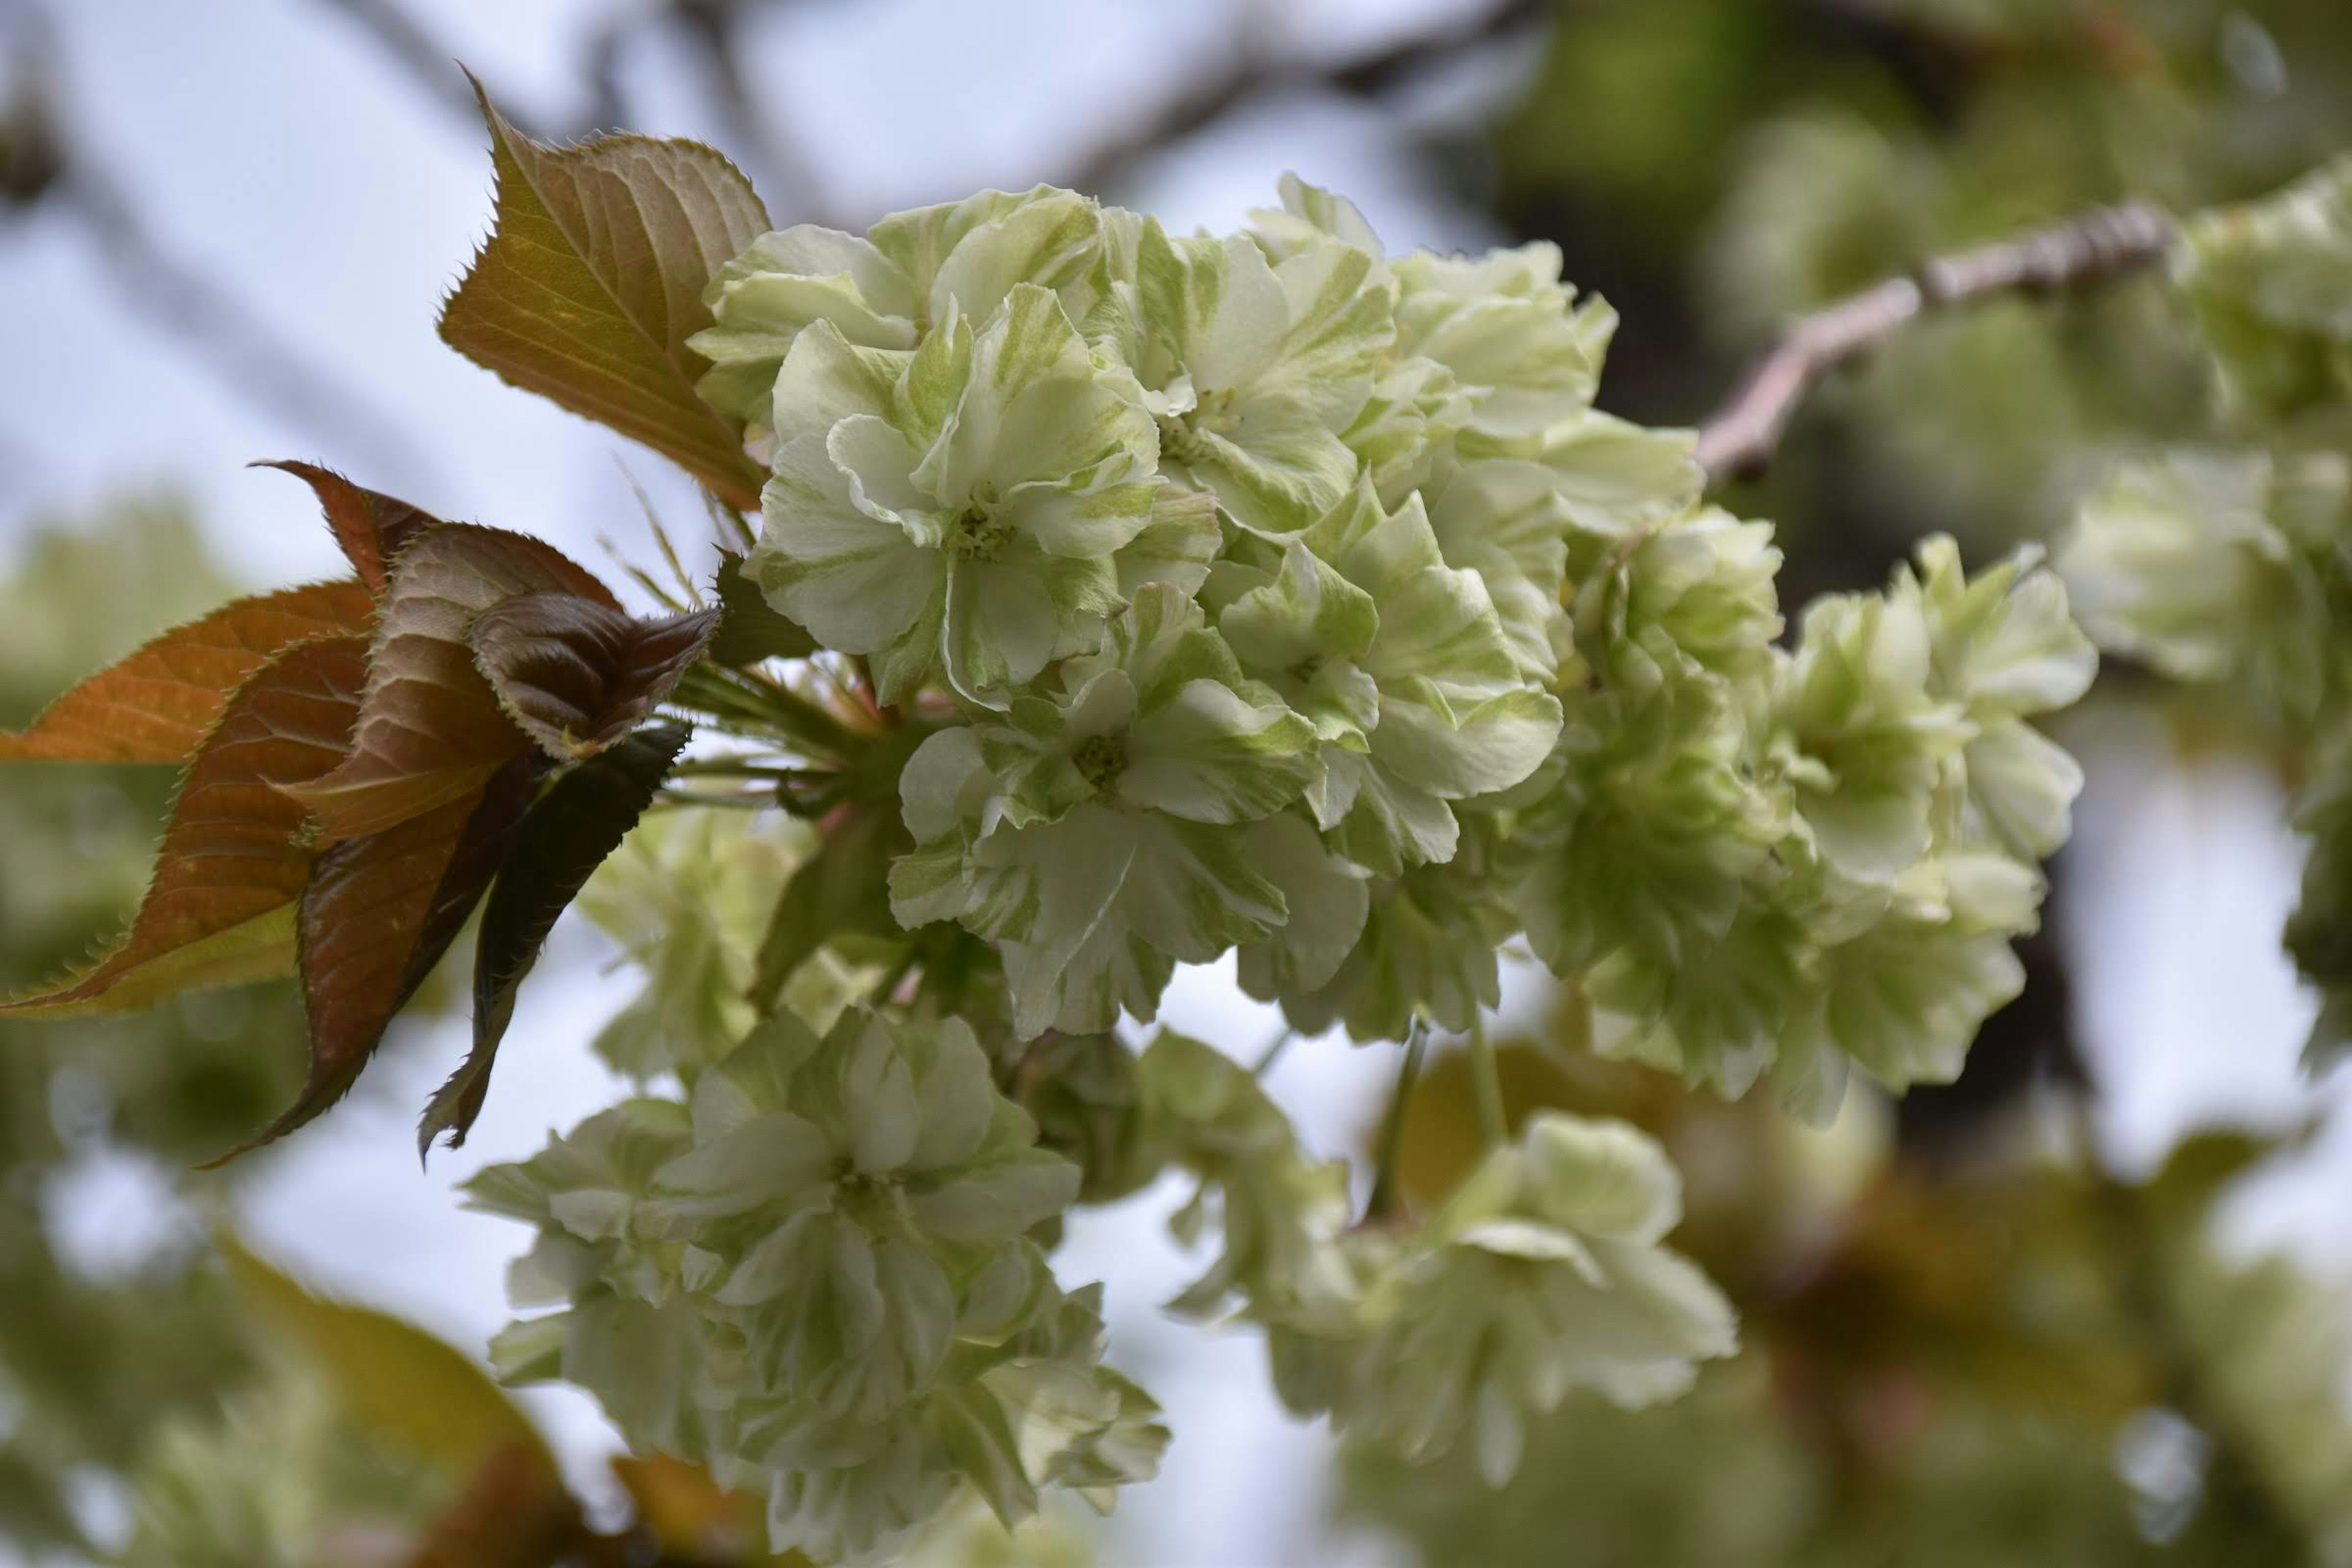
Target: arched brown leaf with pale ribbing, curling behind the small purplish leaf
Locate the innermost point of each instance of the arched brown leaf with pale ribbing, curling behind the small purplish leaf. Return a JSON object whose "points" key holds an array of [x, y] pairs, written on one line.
{"points": [[432, 730]]}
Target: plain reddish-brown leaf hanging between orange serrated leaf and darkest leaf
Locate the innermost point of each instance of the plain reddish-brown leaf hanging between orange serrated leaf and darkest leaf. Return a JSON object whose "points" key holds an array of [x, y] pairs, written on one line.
{"points": [[377, 916]]}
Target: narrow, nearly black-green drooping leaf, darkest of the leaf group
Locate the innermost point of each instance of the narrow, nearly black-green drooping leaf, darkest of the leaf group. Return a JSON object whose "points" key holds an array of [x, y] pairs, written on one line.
{"points": [[559, 845]]}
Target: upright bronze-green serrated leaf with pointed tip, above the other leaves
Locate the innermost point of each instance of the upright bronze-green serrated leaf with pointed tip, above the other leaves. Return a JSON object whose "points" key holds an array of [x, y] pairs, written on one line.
{"points": [[594, 281]]}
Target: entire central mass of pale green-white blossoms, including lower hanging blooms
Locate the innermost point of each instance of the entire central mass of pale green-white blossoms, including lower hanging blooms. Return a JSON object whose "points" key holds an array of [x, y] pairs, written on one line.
{"points": [[1278, 598]]}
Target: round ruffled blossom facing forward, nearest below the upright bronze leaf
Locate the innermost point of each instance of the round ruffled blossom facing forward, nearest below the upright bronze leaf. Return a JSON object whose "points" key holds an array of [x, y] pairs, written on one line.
{"points": [[956, 509]]}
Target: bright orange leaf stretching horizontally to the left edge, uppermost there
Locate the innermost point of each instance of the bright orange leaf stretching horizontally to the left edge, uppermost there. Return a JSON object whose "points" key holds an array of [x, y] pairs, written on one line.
{"points": [[159, 704]]}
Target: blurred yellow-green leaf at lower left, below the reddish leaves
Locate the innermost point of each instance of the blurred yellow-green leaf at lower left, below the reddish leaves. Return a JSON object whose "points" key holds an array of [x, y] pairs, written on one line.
{"points": [[392, 1376]]}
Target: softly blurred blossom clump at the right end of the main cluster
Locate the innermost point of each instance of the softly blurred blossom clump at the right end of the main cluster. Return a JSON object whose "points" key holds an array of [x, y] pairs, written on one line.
{"points": [[1796, 866]]}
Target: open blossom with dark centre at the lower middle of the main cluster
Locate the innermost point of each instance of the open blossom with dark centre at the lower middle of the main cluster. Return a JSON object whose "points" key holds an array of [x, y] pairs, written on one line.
{"points": [[1118, 826]]}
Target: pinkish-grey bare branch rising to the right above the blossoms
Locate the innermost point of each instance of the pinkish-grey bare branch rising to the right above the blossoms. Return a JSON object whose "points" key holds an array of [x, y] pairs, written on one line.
{"points": [[2094, 248]]}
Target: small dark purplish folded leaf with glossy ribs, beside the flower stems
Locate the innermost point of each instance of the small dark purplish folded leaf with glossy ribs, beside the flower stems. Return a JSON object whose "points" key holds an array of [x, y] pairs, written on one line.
{"points": [[580, 676]]}
